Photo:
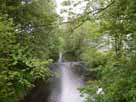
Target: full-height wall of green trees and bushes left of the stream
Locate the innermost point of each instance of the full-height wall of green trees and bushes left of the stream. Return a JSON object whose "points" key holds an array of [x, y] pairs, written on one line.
{"points": [[26, 42]]}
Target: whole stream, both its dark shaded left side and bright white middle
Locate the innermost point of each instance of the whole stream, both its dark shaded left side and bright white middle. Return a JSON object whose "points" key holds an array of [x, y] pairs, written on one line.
{"points": [[63, 87]]}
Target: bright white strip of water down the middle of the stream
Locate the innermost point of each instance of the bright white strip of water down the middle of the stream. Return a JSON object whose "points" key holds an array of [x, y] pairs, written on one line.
{"points": [[70, 84]]}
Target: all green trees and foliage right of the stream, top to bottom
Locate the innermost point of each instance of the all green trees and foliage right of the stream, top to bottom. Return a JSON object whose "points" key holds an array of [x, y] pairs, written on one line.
{"points": [[108, 31]]}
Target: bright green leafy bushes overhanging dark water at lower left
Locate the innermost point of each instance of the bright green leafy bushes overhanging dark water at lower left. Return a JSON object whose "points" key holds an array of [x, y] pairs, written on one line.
{"points": [[18, 69]]}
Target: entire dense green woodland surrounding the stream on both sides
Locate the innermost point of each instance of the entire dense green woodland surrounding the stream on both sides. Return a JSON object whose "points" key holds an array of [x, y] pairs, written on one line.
{"points": [[102, 36]]}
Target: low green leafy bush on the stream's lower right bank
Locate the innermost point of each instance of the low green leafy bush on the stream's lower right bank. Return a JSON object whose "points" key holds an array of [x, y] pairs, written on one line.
{"points": [[116, 78]]}
